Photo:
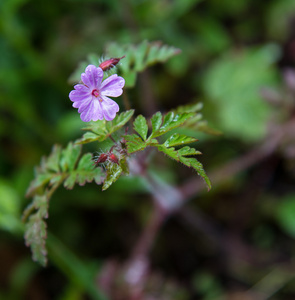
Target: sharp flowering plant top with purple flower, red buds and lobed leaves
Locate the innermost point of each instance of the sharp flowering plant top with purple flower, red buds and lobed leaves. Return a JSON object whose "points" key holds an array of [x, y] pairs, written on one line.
{"points": [[131, 139]]}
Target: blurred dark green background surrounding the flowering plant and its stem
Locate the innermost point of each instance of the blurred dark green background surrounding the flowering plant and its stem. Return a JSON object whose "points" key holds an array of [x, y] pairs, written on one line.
{"points": [[237, 57]]}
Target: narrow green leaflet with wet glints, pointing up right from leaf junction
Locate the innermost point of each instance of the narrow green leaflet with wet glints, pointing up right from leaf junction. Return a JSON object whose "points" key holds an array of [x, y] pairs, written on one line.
{"points": [[171, 121]]}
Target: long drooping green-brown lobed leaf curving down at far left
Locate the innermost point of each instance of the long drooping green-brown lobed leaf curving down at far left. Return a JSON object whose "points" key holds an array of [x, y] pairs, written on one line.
{"points": [[60, 165]]}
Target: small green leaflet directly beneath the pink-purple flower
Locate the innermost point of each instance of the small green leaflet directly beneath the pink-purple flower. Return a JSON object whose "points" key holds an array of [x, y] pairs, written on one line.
{"points": [[101, 130]]}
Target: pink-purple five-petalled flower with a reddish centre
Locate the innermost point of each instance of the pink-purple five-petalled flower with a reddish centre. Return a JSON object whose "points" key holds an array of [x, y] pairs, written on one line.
{"points": [[91, 97]]}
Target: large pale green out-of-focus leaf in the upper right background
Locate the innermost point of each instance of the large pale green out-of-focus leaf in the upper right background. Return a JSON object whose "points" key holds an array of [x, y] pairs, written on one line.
{"points": [[234, 89]]}
